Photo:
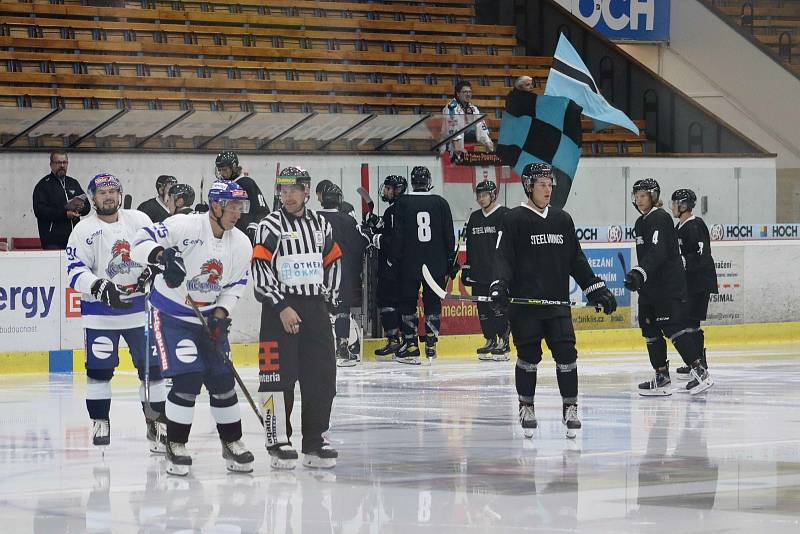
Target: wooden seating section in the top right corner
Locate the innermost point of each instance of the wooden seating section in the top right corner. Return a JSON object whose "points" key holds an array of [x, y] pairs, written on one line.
{"points": [[775, 23]]}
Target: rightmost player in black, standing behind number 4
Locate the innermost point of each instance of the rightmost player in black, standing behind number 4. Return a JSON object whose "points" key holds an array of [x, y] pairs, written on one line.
{"points": [[701, 275]]}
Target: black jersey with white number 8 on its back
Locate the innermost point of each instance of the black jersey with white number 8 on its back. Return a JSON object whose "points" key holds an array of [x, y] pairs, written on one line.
{"points": [[424, 234]]}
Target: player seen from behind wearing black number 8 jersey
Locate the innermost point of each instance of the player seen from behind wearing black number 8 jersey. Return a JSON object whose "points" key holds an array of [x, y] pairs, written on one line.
{"points": [[424, 235]]}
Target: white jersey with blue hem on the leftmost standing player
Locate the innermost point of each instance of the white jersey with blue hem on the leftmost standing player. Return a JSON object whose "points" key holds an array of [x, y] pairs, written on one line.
{"points": [[98, 249]]}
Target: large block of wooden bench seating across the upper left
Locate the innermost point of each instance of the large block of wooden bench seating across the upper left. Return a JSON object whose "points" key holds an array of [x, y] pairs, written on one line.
{"points": [[265, 56]]}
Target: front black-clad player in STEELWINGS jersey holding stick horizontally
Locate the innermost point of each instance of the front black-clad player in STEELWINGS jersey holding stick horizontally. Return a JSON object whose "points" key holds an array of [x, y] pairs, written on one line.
{"points": [[537, 252]]}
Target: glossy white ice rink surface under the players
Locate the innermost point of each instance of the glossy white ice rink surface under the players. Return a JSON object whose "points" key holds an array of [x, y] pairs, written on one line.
{"points": [[431, 450]]}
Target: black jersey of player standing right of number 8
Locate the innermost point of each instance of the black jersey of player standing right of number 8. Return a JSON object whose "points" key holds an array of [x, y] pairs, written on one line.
{"points": [[482, 229]]}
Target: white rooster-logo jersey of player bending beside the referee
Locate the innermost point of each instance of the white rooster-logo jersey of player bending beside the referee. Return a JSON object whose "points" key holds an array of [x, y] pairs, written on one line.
{"points": [[216, 269]]}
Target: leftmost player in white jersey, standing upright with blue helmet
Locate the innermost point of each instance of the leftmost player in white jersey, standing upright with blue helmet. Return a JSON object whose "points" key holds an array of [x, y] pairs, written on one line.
{"points": [[99, 265]]}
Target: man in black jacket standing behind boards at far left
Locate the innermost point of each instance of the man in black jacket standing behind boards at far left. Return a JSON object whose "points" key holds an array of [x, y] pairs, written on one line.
{"points": [[58, 203]]}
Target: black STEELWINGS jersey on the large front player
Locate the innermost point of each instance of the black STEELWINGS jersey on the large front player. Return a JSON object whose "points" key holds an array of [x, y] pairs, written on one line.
{"points": [[536, 255]]}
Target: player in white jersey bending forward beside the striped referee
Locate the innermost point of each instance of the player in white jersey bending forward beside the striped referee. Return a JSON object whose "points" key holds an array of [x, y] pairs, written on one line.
{"points": [[202, 258]]}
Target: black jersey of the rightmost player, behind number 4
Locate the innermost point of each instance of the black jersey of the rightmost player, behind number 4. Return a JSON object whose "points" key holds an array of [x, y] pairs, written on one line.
{"points": [[695, 246]]}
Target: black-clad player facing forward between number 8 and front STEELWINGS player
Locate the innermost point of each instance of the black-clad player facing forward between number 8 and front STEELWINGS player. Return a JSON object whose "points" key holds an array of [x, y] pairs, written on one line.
{"points": [[482, 229]]}
